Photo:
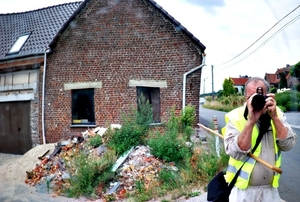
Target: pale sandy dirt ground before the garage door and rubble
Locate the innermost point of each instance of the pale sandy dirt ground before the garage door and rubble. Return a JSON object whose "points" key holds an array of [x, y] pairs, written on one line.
{"points": [[13, 174]]}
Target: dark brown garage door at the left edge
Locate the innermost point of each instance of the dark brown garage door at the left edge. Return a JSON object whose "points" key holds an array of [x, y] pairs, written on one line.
{"points": [[15, 135]]}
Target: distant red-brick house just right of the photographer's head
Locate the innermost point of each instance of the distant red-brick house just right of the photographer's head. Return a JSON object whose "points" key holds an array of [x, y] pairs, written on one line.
{"points": [[274, 79]]}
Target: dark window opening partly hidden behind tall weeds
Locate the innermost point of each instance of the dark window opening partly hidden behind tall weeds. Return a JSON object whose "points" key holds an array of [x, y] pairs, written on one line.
{"points": [[153, 96]]}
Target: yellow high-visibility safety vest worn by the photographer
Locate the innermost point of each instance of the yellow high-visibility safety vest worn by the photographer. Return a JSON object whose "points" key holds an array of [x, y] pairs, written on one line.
{"points": [[236, 117]]}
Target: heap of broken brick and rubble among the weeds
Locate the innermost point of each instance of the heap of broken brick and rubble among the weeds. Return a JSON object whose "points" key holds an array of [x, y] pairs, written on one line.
{"points": [[136, 165]]}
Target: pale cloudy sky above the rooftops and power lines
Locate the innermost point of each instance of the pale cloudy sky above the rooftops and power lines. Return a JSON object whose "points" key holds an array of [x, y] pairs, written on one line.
{"points": [[242, 37]]}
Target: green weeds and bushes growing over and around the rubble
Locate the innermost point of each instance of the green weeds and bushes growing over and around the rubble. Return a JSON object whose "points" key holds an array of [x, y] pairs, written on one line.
{"points": [[186, 165]]}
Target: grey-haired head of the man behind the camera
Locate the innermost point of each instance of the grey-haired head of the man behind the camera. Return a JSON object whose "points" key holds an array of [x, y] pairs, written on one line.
{"points": [[253, 83]]}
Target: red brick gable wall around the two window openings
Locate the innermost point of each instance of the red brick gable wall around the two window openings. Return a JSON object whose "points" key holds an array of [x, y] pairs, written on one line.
{"points": [[115, 43]]}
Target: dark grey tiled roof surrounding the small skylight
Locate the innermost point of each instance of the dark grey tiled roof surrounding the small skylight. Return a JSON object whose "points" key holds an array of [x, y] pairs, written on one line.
{"points": [[43, 24]]}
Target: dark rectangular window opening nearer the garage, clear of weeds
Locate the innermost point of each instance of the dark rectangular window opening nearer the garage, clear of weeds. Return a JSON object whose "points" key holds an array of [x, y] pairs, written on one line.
{"points": [[83, 107]]}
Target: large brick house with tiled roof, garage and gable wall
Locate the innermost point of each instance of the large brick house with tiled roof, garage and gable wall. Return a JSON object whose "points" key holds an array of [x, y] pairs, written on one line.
{"points": [[82, 64]]}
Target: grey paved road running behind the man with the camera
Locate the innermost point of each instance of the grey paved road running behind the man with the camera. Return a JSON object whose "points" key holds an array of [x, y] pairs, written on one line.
{"points": [[290, 178]]}
